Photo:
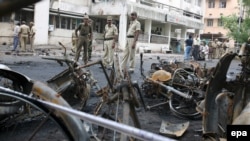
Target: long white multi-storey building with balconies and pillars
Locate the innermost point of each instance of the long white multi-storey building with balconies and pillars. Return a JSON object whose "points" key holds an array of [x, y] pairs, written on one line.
{"points": [[163, 22]]}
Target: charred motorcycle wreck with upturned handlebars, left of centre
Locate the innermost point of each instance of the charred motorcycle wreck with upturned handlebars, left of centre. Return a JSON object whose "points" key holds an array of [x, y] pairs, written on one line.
{"points": [[75, 81]]}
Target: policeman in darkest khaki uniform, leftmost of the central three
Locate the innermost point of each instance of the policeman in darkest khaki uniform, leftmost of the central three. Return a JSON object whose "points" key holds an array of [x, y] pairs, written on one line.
{"points": [[83, 39]]}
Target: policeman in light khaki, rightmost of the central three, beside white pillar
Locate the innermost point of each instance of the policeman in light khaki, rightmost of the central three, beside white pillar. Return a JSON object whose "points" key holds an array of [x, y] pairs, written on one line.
{"points": [[132, 37]]}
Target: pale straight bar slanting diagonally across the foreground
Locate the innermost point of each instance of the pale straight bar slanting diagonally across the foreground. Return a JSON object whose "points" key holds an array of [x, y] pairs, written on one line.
{"points": [[131, 131]]}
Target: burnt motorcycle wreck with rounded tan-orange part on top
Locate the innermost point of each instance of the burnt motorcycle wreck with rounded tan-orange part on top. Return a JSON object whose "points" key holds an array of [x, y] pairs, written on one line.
{"points": [[181, 85]]}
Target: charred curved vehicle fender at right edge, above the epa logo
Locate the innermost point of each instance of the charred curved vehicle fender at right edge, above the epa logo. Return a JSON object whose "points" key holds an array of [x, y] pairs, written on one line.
{"points": [[227, 98]]}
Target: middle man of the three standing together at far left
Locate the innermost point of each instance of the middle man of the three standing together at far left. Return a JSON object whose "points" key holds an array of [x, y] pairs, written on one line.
{"points": [[24, 35]]}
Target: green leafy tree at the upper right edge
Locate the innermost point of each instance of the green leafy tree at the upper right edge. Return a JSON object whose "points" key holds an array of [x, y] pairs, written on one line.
{"points": [[238, 29]]}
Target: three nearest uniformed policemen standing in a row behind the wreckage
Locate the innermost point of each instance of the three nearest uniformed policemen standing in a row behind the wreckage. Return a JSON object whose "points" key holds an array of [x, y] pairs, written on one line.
{"points": [[83, 35]]}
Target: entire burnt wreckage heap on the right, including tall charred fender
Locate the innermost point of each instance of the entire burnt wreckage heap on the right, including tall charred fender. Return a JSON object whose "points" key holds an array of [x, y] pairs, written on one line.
{"points": [[219, 100]]}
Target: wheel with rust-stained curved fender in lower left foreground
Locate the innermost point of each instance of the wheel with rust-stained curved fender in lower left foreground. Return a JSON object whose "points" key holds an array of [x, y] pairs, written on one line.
{"points": [[20, 115]]}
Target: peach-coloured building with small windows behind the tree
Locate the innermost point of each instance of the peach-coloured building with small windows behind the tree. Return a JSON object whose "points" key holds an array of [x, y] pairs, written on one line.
{"points": [[213, 25]]}
